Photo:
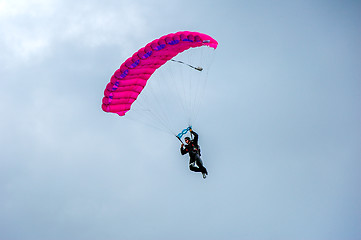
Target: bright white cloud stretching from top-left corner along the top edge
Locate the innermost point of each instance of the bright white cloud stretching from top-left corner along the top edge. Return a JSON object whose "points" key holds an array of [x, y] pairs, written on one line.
{"points": [[32, 29]]}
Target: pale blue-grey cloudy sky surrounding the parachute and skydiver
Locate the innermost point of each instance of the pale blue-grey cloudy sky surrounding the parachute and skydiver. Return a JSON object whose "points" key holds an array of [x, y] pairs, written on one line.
{"points": [[280, 131]]}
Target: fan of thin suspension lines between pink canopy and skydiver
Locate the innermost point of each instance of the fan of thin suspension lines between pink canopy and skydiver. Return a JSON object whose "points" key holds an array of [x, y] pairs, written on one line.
{"points": [[173, 94]]}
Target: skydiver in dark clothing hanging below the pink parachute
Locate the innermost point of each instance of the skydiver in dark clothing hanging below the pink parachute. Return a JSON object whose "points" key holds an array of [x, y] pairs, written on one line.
{"points": [[192, 148]]}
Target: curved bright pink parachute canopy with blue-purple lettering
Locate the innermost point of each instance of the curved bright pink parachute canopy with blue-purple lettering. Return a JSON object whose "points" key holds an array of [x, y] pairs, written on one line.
{"points": [[129, 80]]}
